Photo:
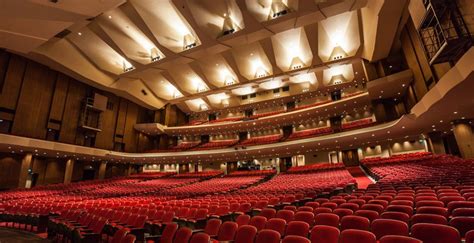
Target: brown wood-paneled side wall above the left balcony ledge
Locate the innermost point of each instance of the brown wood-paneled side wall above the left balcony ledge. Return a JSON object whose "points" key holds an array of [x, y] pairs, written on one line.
{"points": [[35, 98]]}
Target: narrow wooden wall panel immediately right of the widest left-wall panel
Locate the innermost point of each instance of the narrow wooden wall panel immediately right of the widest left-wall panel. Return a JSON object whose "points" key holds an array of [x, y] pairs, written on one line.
{"points": [[59, 97]]}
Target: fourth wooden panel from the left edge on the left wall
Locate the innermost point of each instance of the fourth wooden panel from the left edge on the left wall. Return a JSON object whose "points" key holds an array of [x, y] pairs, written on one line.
{"points": [[76, 94]]}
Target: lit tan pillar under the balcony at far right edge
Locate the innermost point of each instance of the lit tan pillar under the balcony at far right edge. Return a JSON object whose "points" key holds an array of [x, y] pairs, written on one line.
{"points": [[464, 138]]}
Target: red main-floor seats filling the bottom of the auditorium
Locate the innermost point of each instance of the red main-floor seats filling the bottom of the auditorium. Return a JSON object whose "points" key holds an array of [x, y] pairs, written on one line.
{"points": [[418, 197]]}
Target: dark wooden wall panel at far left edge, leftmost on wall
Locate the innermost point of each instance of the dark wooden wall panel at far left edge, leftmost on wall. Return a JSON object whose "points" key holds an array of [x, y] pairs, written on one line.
{"points": [[12, 83]]}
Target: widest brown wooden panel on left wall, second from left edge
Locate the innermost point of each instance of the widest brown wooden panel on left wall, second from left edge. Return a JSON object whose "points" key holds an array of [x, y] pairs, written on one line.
{"points": [[33, 105]]}
